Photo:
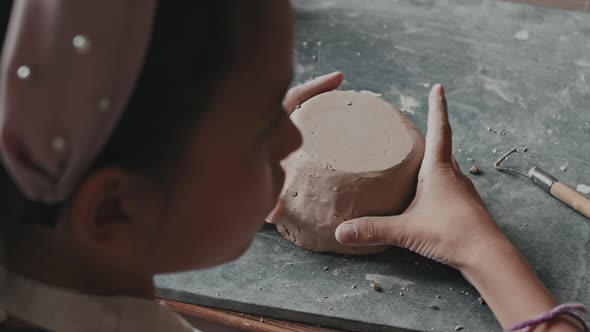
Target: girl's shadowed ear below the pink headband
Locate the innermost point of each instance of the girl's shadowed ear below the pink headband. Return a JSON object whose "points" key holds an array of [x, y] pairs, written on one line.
{"points": [[102, 215]]}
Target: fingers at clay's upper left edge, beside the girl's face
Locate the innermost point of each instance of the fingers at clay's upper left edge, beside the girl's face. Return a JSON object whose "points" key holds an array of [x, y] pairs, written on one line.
{"points": [[301, 93]]}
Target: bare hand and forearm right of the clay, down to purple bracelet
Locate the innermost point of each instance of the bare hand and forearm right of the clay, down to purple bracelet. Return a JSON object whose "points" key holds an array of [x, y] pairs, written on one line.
{"points": [[448, 222]]}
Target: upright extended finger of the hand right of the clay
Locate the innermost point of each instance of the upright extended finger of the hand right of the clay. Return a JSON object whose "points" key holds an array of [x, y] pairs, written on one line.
{"points": [[439, 147]]}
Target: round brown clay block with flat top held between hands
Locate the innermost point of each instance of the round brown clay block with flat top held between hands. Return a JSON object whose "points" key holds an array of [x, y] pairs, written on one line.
{"points": [[360, 157]]}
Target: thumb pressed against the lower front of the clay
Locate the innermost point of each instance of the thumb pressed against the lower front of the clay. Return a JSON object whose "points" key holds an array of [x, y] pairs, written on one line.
{"points": [[372, 231]]}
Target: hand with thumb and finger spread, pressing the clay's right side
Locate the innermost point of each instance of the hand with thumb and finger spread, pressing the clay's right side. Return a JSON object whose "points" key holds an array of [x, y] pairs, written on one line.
{"points": [[447, 221]]}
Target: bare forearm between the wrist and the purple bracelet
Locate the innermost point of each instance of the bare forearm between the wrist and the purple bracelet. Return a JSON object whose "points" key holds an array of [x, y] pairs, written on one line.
{"points": [[512, 290]]}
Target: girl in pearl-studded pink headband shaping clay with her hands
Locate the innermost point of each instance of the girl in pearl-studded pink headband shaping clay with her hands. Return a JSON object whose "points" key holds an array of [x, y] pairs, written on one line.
{"points": [[141, 137]]}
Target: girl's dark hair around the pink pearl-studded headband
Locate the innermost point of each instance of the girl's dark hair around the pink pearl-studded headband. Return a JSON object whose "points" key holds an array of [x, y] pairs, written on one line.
{"points": [[191, 49]]}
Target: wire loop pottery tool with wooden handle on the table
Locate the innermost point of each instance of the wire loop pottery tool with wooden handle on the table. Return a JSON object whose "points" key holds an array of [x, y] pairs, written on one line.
{"points": [[547, 182]]}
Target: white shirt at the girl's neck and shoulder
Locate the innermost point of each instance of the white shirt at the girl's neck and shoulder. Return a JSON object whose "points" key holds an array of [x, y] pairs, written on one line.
{"points": [[63, 310]]}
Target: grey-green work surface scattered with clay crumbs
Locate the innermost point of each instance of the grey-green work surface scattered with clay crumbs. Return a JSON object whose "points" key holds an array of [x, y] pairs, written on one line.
{"points": [[515, 76]]}
